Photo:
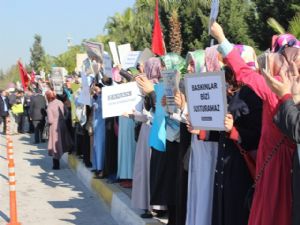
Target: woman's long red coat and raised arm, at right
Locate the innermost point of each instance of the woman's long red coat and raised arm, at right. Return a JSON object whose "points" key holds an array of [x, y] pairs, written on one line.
{"points": [[272, 201]]}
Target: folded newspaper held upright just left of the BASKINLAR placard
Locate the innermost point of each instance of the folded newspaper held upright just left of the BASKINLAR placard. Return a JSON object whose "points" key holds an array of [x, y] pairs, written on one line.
{"points": [[171, 85]]}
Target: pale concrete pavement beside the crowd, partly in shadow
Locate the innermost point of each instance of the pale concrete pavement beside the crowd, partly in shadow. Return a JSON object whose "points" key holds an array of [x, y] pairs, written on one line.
{"points": [[46, 196]]}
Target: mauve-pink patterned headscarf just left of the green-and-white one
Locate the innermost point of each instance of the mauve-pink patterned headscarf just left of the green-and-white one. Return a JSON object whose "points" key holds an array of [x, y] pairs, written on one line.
{"points": [[152, 69]]}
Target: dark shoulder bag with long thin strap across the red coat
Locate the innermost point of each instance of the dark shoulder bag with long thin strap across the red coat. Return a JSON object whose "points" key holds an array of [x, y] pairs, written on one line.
{"points": [[250, 193]]}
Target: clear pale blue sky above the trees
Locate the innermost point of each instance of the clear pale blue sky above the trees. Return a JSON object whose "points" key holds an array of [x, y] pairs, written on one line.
{"points": [[54, 20]]}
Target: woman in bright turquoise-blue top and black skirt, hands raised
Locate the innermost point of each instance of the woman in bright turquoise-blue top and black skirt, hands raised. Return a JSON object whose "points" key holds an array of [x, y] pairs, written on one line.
{"points": [[157, 138]]}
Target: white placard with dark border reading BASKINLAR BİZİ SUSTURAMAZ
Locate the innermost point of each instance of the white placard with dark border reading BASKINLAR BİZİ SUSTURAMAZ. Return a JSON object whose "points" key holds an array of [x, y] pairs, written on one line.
{"points": [[207, 101]]}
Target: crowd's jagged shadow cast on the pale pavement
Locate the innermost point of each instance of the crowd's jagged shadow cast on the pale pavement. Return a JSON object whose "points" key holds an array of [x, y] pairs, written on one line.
{"points": [[62, 178]]}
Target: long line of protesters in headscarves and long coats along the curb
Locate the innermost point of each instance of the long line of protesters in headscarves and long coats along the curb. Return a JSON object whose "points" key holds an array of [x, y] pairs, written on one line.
{"points": [[247, 174]]}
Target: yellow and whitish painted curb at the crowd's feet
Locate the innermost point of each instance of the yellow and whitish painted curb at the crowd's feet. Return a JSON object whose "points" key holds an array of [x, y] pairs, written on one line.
{"points": [[119, 203]]}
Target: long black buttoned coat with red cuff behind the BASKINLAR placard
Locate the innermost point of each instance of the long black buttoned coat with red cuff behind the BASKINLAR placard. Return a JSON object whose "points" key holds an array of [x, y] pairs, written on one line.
{"points": [[232, 177]]}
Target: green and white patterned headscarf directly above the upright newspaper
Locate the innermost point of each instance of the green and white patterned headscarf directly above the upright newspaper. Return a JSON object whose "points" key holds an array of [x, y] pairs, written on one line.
{"points": [[173, 61]]}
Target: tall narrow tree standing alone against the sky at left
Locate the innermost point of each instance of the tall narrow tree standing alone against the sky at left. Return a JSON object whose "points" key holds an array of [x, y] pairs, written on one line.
{"points": [[37, 53]]}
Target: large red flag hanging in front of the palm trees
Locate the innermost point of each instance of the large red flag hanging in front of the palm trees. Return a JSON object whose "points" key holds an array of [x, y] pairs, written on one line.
{"points": [[158, 45]]}
